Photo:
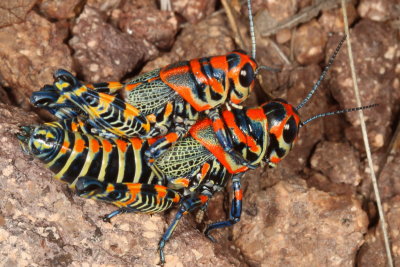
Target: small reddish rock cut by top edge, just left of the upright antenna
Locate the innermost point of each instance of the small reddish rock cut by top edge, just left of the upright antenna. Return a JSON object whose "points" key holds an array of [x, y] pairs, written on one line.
{"points": [[194, 11]]}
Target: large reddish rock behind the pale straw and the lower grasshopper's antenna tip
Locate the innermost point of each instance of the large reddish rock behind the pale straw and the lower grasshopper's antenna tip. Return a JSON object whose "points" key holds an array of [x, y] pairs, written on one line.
{"points": [[375, 52]]}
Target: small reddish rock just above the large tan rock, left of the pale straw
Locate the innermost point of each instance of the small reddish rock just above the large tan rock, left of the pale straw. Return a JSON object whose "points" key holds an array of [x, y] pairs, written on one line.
{"points": [[338, 161]]}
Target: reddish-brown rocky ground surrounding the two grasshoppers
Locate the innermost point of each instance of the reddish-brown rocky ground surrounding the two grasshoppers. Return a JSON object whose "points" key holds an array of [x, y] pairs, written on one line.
{"points": [[317, 208]]}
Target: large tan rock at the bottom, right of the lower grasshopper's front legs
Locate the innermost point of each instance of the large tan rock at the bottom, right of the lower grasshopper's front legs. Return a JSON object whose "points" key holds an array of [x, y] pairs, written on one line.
{"points": [[296, 226]]}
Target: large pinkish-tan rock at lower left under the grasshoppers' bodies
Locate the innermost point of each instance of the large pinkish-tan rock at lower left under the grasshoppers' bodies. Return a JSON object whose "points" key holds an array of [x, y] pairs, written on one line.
{"points": [[44, 223]]}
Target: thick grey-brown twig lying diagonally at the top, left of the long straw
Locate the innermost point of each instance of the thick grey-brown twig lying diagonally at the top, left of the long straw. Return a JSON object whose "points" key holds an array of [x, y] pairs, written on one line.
{"points": [[304, 15]]}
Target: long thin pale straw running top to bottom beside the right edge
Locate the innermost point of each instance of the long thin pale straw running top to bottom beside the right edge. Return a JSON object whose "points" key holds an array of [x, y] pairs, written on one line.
{"points": [[365, 138]]}
